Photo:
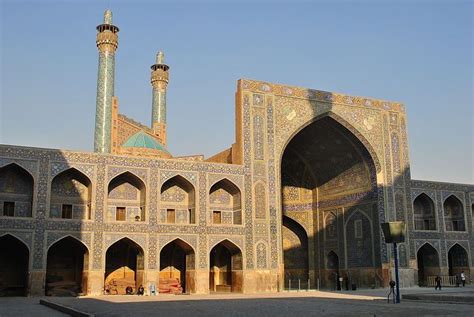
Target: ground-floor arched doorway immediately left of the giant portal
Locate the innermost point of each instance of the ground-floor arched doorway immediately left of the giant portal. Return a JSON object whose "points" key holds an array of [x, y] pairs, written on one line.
{"points": [[225, 273]]}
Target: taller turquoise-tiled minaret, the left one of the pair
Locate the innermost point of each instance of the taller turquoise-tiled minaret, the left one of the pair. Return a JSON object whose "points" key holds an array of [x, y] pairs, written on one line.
{"points": [[107, 43]]}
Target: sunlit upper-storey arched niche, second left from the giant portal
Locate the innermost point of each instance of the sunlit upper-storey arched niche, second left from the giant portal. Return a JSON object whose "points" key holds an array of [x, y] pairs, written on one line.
{"points": [[178, 201]]}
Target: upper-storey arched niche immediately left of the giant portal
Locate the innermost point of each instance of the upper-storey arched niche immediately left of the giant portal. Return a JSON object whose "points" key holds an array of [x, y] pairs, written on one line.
{"points": [[225, 203]]}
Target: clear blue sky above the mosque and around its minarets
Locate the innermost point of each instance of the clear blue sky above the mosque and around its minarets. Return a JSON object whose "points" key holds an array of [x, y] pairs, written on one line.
{"points": [[419, 53]]}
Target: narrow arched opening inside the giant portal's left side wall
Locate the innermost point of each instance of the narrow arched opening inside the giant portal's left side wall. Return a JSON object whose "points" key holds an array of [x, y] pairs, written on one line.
{"points": [[295, 253]]}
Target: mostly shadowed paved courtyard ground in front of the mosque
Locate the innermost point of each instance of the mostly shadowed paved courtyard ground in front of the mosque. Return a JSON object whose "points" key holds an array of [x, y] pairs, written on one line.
{"points": [[360, 303]]}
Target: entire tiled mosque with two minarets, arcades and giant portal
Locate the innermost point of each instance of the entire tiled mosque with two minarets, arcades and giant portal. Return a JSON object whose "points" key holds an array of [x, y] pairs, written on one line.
{"points": [[294, 203]]}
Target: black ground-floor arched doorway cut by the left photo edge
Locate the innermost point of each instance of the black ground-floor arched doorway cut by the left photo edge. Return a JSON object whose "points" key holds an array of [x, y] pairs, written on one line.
{"points": [[14, 255]]}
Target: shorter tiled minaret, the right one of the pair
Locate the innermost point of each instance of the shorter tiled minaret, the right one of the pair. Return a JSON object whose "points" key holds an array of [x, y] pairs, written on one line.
{"points": [[159, 81]]}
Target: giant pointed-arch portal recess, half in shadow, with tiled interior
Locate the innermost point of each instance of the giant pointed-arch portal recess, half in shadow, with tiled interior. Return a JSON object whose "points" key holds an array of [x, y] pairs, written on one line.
{"points": [[327, 170]]}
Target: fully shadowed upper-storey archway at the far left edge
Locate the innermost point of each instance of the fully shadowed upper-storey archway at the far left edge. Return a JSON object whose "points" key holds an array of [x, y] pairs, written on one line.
{"points": [[16, 191]]}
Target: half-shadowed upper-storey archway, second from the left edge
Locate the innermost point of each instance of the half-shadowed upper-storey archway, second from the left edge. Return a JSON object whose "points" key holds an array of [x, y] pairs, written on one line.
{"points": [[71, 193]]}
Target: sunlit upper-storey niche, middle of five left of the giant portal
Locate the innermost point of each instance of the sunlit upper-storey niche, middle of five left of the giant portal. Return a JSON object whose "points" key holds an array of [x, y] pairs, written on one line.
{"points": [[126, 199]]}
